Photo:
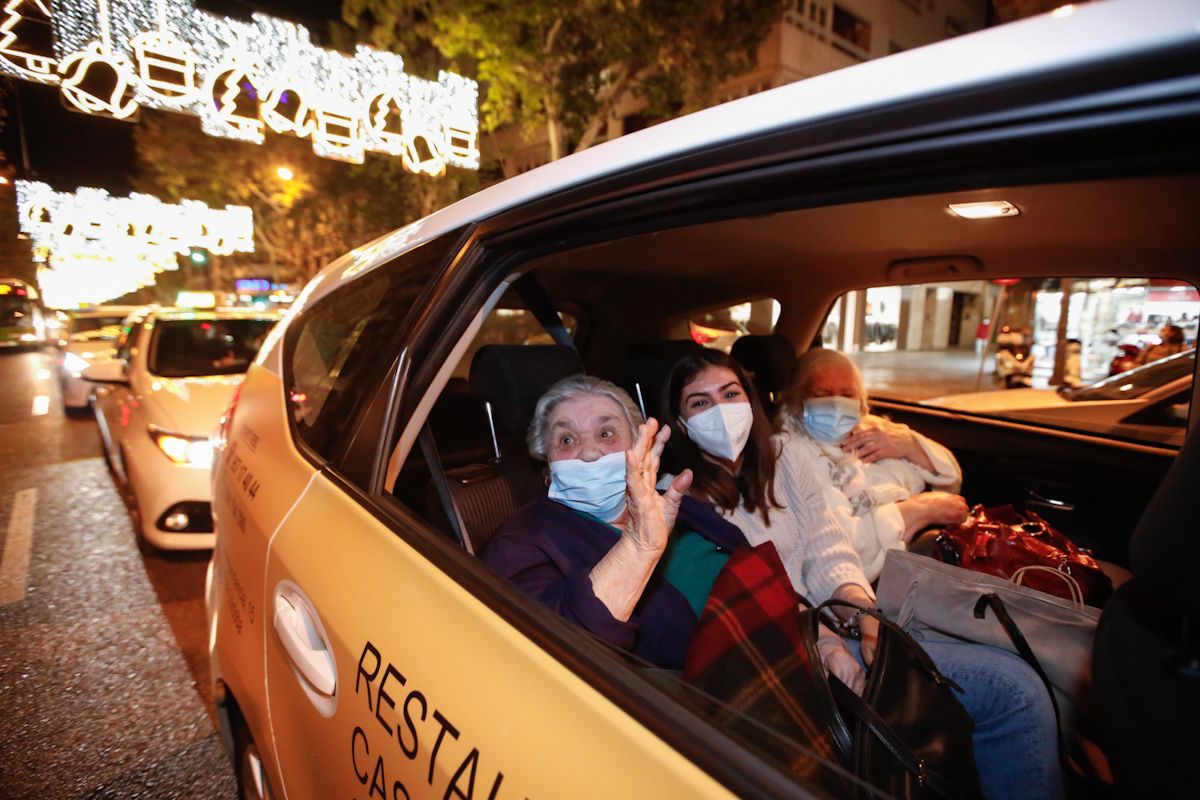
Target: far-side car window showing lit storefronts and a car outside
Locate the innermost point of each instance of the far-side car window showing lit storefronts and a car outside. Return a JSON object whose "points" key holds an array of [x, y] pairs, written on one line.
{"points": [[1079, 354]]}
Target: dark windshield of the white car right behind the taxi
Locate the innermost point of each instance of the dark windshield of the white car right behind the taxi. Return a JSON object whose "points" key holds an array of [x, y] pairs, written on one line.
{"points": [[206, 347]]}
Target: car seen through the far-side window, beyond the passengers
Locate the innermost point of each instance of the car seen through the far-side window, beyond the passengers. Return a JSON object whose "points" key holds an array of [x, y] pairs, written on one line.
{"points": [[1147, 404]]}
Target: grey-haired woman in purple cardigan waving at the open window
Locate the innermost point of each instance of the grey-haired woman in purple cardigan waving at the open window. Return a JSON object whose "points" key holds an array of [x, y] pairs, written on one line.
{"points": [[605, 550]]}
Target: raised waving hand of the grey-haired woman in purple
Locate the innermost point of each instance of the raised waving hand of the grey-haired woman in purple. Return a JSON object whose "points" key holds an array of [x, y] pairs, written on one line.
{"points": [[651, 516]]}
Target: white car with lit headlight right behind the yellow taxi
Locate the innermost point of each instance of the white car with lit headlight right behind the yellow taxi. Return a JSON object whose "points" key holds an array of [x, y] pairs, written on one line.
{"points": [[159, 400]]}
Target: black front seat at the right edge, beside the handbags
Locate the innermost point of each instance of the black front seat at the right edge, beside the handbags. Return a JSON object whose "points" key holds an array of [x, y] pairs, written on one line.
{"points": [[1147, 659]]}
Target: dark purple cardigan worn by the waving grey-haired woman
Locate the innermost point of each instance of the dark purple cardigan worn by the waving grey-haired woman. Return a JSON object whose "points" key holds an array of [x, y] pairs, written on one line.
{"points": [[548, 551]]}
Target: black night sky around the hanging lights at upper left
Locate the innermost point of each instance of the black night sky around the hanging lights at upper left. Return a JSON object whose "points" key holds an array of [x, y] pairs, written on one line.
{"points": [[69, 149]]}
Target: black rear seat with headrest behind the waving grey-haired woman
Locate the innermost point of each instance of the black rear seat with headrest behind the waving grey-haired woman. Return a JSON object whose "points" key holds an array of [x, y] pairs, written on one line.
{"points": [[511, 380]]}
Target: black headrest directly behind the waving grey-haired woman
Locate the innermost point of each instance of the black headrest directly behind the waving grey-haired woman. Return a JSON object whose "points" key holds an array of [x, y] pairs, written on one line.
{"points": [[514, 377]]}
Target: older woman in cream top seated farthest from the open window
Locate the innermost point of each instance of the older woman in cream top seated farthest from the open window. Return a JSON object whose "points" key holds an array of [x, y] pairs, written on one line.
{"points": [[875, 474]]}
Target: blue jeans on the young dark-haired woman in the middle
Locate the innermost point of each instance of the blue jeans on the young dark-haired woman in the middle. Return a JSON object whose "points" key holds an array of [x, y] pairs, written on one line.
{"points": [[1016, 738]]}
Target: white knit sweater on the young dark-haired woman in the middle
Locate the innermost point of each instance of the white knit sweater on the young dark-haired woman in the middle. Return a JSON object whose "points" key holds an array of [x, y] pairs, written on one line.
{"points": [[815, 550]]}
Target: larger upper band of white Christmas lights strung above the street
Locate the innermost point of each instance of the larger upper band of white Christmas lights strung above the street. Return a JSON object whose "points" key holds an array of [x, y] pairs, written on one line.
{"points": [[241, 79]]}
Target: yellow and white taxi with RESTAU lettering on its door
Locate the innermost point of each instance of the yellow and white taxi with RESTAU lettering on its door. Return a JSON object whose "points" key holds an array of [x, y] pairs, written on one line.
{"points": [[358, 646]]}
